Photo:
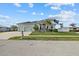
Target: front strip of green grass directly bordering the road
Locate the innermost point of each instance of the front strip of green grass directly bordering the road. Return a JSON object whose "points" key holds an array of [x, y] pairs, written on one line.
{"points": [[45, 38]]}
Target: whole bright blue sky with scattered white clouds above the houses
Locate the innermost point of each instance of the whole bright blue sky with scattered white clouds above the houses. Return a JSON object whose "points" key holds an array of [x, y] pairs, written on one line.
{"points": [[12, 13]]}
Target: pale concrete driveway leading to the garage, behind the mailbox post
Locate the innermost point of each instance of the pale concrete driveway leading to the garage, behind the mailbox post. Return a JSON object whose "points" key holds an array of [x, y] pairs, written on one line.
{"points": [[6, 35]]}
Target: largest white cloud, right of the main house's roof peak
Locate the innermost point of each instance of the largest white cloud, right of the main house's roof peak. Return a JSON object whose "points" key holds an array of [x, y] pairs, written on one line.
{"points": [[68, 16]]}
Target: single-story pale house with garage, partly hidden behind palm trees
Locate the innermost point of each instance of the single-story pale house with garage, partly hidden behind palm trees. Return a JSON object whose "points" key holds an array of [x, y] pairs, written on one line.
{"points": [[28, 26]]}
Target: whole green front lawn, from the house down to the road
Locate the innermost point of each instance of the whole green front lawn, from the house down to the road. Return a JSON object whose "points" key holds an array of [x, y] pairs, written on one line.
{"points": [[58, 36]]}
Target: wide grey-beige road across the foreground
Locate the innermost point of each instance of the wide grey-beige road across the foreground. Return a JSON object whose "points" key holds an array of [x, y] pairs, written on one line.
{"points": [[38, 48]]}
